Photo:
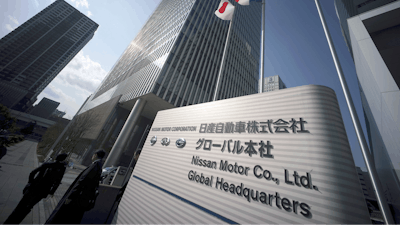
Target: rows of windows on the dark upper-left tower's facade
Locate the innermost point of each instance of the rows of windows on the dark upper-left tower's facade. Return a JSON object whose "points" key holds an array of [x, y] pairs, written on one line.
{"points": [[36, 39]]}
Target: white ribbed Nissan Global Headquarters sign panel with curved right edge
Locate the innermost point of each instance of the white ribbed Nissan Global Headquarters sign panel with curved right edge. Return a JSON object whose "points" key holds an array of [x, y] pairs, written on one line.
{"points": [[280, 157]]}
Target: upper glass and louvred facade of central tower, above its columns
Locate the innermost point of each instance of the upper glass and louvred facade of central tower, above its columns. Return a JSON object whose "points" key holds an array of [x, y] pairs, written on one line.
{"points": [[178, 52]]}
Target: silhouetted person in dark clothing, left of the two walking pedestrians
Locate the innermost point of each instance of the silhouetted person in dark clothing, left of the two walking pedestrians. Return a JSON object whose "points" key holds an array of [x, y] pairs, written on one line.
{"points": [[43, 181]]}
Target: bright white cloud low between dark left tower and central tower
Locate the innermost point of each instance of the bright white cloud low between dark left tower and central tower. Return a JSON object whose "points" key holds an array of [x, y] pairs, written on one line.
{"points": [[82, 73]]}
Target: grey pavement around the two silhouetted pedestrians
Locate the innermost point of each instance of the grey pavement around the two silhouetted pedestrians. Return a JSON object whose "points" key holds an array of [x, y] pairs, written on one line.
{"points": [[16, 166]]}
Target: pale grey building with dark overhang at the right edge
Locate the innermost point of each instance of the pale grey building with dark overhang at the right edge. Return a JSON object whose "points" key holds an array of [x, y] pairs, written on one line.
{"points": [[373, 38]]}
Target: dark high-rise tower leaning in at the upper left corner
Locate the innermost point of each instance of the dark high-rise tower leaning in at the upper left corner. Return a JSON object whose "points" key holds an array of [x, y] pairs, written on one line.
{"points": [[33, 54]]}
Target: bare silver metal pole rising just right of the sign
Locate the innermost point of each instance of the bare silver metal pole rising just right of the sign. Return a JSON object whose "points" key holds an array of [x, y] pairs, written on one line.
{"points": [[387, 215]]}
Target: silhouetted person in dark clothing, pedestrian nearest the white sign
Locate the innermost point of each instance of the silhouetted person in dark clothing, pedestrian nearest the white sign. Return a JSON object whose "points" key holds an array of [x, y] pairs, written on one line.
{"points": [[81, 195]]}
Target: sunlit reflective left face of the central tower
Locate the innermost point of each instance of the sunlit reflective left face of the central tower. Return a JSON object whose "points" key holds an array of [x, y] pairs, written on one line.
{"points": [[150, 44]]}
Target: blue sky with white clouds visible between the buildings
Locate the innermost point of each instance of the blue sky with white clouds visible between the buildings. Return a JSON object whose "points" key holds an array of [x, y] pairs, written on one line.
{"points": [[296, 49]]}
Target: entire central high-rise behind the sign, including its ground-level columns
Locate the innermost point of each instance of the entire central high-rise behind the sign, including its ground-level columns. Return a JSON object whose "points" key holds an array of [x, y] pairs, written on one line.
{"points": [[174, 61]]}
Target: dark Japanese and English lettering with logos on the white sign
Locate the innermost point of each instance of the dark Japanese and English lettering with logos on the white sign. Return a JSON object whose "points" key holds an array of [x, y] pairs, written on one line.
{"points": [[259, 148]]}
